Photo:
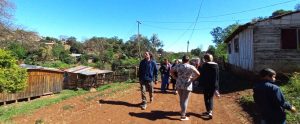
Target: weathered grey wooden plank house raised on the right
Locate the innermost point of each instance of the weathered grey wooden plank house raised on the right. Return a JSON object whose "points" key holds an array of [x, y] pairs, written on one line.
{"points": [[272, 43]]}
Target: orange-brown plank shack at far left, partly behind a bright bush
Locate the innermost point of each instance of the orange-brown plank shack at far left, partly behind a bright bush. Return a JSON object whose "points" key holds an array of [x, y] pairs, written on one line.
{"points": [[41, 81]]}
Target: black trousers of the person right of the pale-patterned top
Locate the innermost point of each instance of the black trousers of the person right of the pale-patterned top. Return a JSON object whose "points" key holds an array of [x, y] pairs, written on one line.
{"points": [[208, 98]]}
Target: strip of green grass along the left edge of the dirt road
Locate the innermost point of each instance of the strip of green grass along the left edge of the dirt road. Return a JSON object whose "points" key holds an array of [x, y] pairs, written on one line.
{"points": [[10, 111]]}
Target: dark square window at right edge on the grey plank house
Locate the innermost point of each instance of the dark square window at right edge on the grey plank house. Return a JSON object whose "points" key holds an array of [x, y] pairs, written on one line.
{"points": [[290, 38]]}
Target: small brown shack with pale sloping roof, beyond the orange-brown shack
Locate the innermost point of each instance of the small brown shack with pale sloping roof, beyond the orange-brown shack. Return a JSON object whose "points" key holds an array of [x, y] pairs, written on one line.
{"points": [[86, 77]]}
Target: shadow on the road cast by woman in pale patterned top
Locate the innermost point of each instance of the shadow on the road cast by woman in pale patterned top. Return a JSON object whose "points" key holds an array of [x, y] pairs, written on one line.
{"points": [[155, 115]]}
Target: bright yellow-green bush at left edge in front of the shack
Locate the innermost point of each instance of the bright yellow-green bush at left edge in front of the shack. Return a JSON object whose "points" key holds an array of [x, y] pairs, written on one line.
{"points": [[12, 77]]}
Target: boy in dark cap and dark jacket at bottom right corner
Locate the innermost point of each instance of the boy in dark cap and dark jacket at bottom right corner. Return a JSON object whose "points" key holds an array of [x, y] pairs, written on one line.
{"points": [[269, 99]]}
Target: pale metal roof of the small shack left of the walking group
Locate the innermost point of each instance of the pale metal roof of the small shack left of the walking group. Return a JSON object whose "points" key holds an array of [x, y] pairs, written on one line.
{"points": [[85, 70]]}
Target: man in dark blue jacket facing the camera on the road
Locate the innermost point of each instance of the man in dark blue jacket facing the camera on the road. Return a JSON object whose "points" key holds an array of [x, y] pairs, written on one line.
{"points": [[147, 74]]}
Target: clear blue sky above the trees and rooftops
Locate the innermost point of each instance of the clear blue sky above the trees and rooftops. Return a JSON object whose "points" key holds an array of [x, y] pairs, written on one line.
{"points": [[169, 19]]}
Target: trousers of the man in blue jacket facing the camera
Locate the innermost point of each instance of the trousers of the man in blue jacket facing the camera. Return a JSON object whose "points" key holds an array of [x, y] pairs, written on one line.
{"points": [[146, 85]]}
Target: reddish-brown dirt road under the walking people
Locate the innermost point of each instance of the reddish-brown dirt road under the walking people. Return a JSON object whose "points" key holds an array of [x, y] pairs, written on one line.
{"points": [[123, 108]]}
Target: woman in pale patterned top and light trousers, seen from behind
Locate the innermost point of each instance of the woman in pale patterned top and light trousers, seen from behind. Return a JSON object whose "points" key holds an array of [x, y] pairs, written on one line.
{"points": [[186, 74]]}
